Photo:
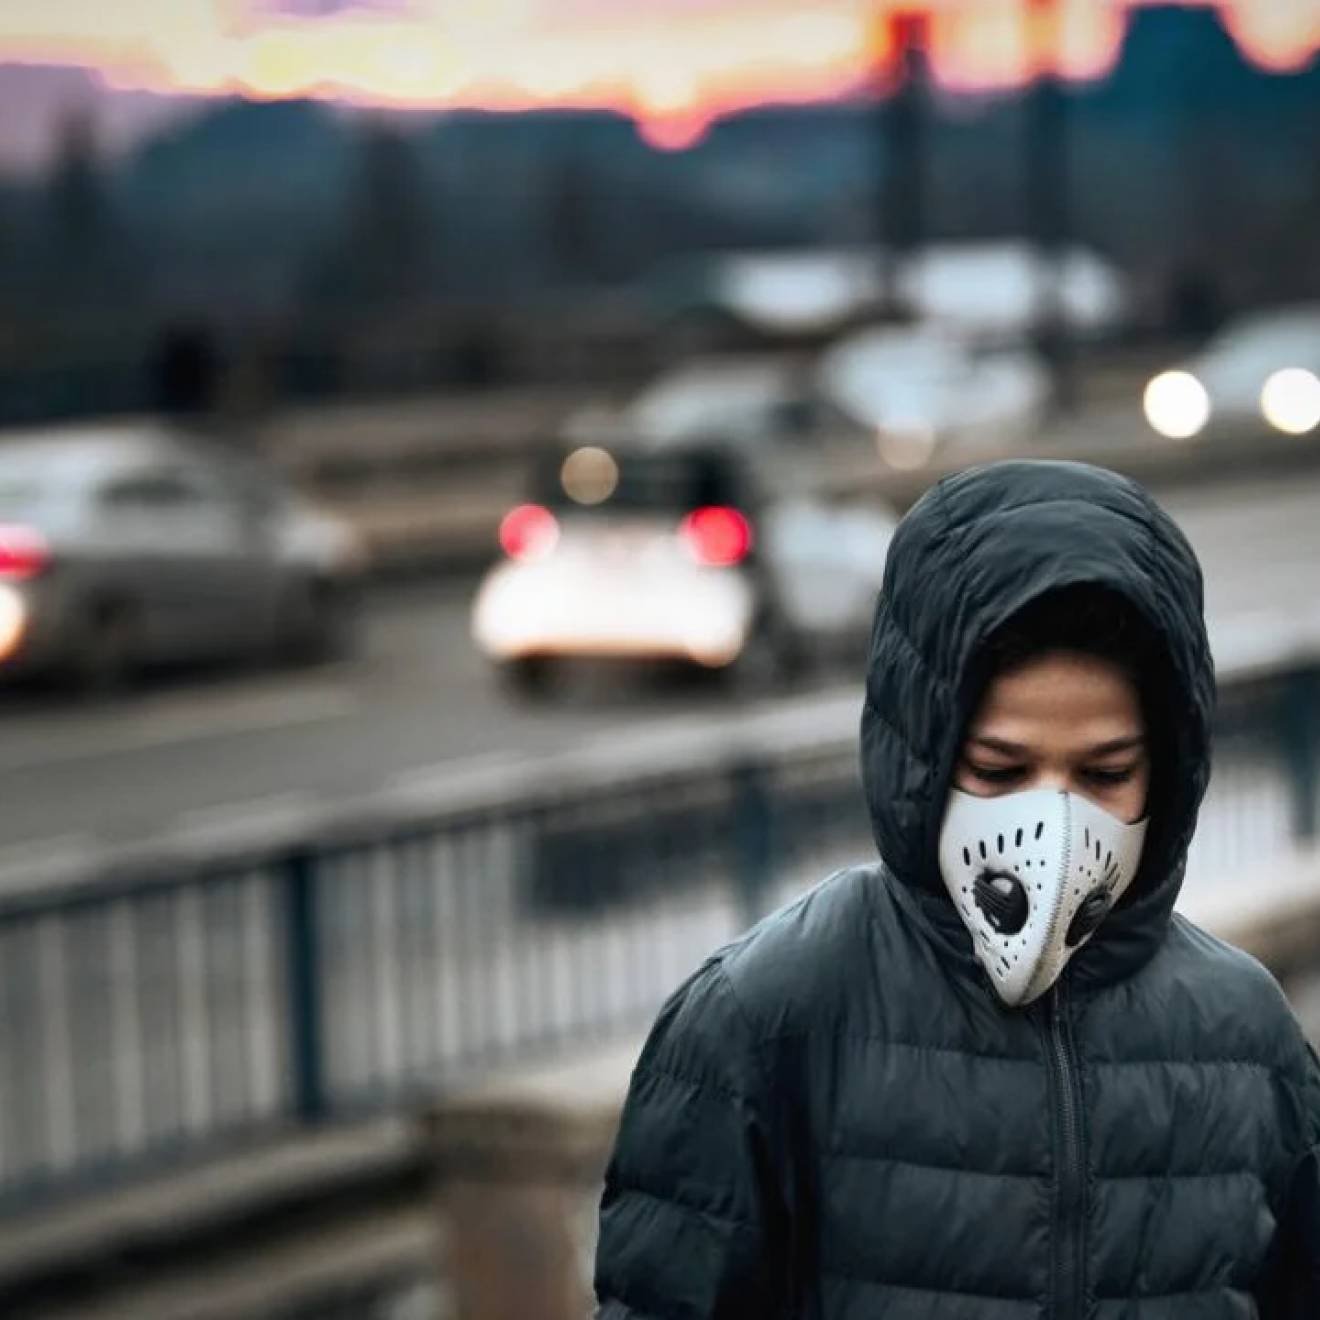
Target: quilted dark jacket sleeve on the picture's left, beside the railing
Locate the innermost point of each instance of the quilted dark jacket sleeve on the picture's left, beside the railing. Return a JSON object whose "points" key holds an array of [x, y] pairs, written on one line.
{"points": [[694, 1226]]}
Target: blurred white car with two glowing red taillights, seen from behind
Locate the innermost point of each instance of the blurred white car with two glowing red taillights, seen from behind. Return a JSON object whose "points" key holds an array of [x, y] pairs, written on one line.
{"points": [[674, 554]]}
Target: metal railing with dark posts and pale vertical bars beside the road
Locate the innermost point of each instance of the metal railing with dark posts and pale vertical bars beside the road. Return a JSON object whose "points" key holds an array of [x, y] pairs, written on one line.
{"points": [[162, 1008]]}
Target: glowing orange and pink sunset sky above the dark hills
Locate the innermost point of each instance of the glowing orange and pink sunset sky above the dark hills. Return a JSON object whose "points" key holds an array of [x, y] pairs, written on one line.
{"points": [[673, 64]]}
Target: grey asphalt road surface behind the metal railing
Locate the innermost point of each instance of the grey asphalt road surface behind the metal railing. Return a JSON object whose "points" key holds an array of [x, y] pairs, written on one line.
{"points": [[196, 754]]}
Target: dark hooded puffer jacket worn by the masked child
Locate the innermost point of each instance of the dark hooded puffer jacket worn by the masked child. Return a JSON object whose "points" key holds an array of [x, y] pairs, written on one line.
{"points": [[836, 1119]]}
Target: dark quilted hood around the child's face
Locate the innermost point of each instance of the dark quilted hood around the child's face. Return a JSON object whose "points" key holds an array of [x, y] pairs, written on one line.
{"points": [[972, 554]]}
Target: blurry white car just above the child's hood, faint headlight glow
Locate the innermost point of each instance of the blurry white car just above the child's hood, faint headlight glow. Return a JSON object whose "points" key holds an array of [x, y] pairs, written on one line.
{"points": [[922, 390]]}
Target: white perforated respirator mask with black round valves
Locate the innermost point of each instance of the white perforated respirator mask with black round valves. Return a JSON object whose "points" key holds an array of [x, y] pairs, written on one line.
{"points": [[1033, 876]]}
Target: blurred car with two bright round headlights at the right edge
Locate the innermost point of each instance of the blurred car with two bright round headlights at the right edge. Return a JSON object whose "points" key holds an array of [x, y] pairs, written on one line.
{"points": [[1261, 369]]}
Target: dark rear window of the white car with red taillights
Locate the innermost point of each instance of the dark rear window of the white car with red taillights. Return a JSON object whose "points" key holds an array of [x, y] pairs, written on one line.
{"points": [[591, 480]]}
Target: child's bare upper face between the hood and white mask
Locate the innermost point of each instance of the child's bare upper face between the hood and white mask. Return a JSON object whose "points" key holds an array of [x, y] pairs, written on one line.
{"points": [[1062, 720]]}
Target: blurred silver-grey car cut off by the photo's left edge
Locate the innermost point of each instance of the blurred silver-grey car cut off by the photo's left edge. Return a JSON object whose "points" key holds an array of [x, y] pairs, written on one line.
{"points": [[130, 547]]}
